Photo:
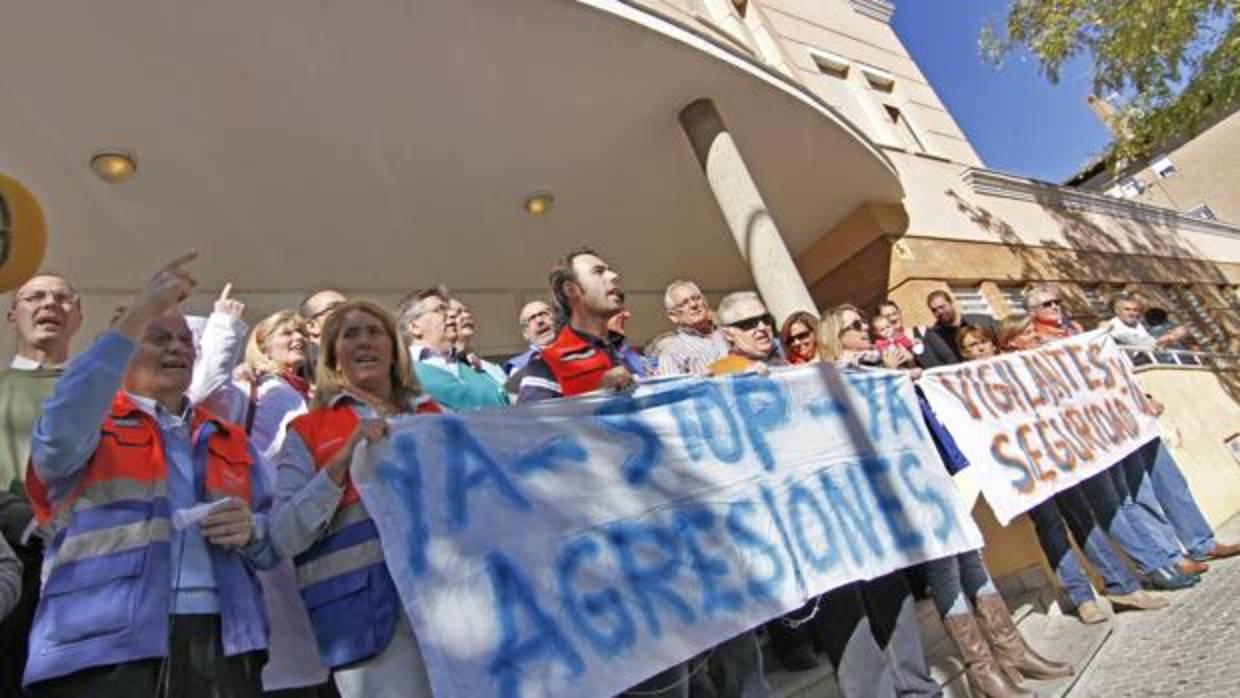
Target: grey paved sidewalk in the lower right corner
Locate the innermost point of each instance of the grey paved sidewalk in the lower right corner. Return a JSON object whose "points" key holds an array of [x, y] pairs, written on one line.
{"points": [[1190, 649]]}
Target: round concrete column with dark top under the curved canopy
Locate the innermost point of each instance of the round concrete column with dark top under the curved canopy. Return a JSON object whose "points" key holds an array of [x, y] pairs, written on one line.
{"points": [[759, 241]]}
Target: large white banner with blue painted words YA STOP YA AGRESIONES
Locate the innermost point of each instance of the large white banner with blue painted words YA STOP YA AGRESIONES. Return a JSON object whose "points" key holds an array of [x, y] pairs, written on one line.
{"points": [[577, 547]]}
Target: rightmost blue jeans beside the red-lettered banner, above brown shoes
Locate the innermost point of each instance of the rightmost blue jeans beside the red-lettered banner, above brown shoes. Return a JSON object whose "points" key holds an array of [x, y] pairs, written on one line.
{"points": [[1164, 494]]}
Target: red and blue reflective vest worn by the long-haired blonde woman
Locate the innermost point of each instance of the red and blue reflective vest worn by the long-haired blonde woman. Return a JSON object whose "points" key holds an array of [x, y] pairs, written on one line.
{"points": [[347, 587]]}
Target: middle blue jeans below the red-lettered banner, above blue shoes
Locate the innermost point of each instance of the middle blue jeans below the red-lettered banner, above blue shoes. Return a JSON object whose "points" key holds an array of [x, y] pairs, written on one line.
{"points": [[1150, 545]]}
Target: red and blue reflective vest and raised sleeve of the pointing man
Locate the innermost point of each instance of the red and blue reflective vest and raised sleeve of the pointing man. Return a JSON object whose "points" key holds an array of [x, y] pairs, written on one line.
{"points": [[108, 566]]}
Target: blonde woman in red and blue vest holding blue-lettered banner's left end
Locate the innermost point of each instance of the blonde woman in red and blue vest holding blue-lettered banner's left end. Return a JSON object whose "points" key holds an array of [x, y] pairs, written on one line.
{"points": [[363, 378]]}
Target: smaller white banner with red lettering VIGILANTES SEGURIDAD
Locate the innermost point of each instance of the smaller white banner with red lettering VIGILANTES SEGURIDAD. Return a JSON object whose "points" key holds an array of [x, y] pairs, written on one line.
{"points": [[1038, 422]]}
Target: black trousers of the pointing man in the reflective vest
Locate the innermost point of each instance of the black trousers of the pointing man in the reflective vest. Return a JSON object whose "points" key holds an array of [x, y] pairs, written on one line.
{"points": [[197, 668]]}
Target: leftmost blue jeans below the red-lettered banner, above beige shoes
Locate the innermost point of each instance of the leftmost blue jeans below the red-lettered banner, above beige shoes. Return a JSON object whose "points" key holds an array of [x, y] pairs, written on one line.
{"points": [[1073, 508]]}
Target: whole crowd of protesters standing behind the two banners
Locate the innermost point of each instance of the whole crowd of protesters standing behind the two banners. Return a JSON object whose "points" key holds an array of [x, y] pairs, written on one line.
{"points": [[179, 519]]}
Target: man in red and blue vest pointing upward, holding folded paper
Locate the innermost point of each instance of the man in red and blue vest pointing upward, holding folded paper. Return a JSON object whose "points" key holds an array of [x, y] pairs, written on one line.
{"points": [[132, 608]]}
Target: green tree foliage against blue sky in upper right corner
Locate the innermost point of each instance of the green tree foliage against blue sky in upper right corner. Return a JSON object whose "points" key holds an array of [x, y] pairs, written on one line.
{"points": [[1167, 66]]}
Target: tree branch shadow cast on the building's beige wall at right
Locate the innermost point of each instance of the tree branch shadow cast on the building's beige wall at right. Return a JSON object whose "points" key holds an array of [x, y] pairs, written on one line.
{"points": [[1144, 255]]}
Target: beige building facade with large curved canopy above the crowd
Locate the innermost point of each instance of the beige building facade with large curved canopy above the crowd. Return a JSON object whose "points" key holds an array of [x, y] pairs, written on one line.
{"points": [[788, 146]]}
